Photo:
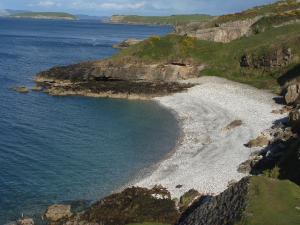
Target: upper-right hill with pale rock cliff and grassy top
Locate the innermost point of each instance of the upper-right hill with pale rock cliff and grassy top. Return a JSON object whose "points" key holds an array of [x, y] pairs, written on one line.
{"points": [[230, 27]]}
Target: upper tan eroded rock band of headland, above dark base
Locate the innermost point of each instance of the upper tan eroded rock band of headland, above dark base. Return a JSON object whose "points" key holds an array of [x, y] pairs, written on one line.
{"points": [[104, 70]]}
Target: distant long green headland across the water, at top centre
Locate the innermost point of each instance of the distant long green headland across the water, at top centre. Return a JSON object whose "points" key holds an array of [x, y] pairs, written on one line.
{"points": [[160, 20]]}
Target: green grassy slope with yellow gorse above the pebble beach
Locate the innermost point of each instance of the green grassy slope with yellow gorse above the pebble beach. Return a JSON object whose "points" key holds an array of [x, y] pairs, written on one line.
{"points": [[221, 59]]}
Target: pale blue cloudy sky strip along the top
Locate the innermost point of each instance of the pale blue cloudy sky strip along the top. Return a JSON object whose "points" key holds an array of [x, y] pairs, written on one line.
{"points": [[139, 7]]}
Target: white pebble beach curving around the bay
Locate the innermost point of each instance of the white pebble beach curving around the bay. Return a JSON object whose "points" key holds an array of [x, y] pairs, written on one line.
{"points": [[200, 162]]}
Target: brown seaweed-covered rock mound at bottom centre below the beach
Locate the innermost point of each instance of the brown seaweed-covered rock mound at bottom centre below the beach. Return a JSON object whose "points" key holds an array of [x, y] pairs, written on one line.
{"points": [[133, 205]]}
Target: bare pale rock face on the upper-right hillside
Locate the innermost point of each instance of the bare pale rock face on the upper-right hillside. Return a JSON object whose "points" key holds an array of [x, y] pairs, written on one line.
{"points": [[225, 32]]}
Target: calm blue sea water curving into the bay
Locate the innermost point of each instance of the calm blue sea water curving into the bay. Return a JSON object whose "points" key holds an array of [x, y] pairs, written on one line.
{"points": [[56, 149]]}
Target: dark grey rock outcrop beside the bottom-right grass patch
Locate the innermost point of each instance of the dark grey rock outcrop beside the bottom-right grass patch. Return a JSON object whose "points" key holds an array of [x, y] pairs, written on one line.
{"points": [[224, 209]]}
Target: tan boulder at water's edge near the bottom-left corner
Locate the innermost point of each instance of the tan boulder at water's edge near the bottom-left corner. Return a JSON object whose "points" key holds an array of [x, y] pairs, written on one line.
{"points": [[57, 212]]}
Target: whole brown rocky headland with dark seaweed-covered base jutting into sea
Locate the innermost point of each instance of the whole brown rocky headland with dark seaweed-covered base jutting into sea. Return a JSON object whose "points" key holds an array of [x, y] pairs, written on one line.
{"points": [[117, 80]]}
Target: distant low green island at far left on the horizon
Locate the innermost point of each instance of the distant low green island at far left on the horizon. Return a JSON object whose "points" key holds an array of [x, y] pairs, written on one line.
{"points": [[43, 15]]}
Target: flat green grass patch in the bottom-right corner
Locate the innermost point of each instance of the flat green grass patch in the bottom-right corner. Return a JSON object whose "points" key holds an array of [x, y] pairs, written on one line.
{"points": [[272, 202]]}
